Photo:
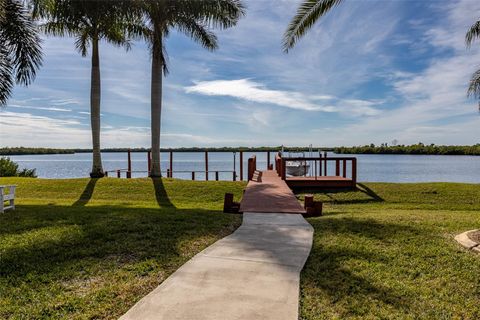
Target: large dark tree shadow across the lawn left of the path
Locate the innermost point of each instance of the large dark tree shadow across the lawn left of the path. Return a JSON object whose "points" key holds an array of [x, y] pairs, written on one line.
{"points": [[71, 236]]}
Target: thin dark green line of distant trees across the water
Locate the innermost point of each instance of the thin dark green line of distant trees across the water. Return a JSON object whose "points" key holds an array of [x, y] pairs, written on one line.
{"points": [[415, 149]]}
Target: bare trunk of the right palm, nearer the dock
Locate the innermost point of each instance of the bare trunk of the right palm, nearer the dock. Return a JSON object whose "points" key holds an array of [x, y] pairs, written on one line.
{"points": [[156, 107]]}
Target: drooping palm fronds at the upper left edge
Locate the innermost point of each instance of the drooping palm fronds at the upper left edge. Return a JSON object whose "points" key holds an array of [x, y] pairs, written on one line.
{"points": [[20, 51]]}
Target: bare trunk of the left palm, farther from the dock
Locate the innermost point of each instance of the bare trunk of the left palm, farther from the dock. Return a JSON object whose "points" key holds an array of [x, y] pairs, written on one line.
{"points": [[97, 169]]}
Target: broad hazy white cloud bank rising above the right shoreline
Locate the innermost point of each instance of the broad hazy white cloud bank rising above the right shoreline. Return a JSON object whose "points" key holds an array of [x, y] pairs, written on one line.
{"points": [[436, 109]]}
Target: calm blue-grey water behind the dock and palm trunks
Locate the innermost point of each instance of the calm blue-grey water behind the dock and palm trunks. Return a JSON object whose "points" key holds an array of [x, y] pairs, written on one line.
{"points": [[385, 168]]}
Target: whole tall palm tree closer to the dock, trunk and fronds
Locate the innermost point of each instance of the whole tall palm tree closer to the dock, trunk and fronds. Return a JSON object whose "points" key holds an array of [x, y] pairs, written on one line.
{"points": [[191, 17]]}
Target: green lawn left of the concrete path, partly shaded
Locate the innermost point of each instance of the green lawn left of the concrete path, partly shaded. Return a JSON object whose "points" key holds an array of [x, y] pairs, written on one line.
{"points": [[84, 249]]}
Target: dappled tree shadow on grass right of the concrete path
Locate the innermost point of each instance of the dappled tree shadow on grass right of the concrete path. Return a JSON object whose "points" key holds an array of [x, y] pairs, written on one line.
{"points": [[334, 267]]}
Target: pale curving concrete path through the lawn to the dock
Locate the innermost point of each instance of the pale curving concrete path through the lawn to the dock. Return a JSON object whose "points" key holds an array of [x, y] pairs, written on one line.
{"points": [[251, 274]]}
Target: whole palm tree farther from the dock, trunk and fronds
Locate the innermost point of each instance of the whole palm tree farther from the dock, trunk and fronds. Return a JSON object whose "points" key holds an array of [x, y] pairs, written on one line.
{"points": [[89, 21]]}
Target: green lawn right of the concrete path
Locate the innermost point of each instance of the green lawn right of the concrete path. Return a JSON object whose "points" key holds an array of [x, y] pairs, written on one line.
{"points": [[387, 251]]}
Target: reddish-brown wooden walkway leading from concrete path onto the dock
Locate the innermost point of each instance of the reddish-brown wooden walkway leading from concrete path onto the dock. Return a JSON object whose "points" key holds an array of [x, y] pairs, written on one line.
{"points": [[271, 194]]}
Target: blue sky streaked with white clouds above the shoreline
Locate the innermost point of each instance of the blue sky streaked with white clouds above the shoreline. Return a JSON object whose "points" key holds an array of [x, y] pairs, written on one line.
{"points": [[370, 72]]}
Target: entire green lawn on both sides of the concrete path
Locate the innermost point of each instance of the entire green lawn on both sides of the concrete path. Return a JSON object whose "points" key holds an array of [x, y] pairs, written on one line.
{"points": [[83, 248]]}
